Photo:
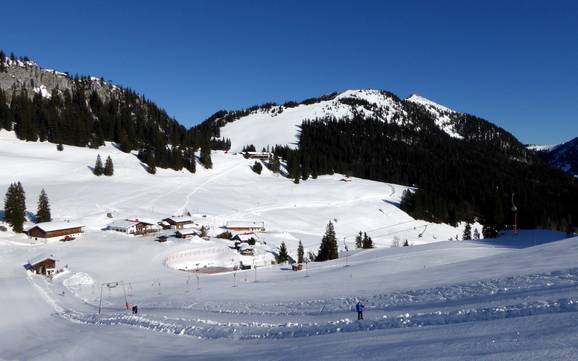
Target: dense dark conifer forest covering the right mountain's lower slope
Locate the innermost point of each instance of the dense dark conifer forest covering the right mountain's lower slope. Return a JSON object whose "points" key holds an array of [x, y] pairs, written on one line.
{"points": [[455, 179]]}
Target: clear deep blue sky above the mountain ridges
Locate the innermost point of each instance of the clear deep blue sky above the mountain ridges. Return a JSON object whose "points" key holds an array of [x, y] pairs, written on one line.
{"points": [[514, 63]]}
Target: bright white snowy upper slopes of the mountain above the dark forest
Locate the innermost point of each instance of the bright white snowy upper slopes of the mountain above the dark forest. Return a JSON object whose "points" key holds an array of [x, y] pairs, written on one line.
{"points": [[280, 124]]}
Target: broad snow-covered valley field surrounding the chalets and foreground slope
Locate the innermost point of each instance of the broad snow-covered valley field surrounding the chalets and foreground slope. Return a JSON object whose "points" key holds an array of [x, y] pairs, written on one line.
{"points": [[513, 298]]}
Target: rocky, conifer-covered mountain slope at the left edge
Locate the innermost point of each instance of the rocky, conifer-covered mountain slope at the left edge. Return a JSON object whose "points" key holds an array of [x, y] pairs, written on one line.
{"points": [[47, 105]]}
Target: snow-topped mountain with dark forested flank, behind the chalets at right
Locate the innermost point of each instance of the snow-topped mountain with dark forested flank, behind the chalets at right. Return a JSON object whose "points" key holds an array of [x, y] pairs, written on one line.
{"points": [[462, 167]]}
